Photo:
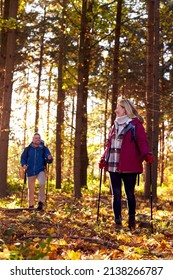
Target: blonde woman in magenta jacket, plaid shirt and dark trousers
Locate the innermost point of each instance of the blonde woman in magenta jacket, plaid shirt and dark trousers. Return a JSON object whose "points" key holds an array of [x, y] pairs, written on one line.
{"points": [[126, 148]]}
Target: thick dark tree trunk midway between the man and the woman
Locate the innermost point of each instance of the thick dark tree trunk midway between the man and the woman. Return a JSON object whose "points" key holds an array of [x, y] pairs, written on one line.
{"points": [[80, 149]]}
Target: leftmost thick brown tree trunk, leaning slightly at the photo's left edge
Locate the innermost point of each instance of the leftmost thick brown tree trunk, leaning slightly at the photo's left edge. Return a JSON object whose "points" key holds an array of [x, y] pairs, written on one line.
{"points": [[7, 94]]}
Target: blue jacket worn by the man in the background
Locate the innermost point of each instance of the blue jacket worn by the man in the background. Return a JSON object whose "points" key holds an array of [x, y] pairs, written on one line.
{"points": [[35, 158]]}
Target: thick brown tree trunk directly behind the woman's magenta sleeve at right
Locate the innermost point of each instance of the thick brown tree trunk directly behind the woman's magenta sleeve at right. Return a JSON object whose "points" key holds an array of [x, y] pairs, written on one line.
{"points": [[152, 94]]}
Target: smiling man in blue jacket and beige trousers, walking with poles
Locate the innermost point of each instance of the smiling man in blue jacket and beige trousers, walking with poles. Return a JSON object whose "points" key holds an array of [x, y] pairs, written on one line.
{"points": [[33, 161]]}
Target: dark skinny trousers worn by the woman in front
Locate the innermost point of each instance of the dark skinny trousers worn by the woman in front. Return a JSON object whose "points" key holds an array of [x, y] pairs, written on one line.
{"points": [[129, 180]]}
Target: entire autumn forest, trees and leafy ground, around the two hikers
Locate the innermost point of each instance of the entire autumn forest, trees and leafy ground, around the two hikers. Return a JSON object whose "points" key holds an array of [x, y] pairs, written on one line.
{"points": [[63, 66]]}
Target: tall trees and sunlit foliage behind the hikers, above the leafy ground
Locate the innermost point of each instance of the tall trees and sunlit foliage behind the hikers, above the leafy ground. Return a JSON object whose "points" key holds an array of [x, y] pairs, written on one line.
{"points": [[64, 64]]}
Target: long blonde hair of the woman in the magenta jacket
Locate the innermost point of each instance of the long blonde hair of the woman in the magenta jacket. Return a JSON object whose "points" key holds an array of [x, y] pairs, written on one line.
{"points": [[130, 109]]}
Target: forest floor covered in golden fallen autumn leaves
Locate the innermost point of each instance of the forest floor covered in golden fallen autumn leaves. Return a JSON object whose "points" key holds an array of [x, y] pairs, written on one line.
{"points": [[67, 229]]}
